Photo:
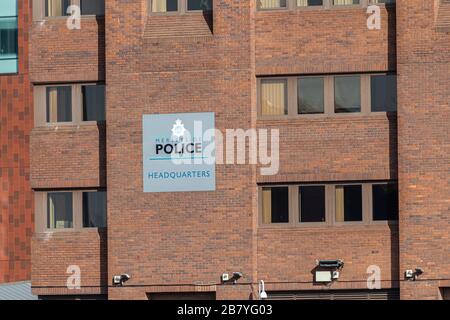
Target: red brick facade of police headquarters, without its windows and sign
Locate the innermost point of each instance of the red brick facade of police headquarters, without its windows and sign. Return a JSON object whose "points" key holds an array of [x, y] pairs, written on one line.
{"points": [[183, 242]]}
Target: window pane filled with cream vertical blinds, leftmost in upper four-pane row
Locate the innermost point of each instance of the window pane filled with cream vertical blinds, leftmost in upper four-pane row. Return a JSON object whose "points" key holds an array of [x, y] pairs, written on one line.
{"points": [[274, 97]]}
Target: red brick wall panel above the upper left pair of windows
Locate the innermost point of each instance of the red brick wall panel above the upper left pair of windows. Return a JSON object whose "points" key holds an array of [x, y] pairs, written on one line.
{"points": [[62, 55]]}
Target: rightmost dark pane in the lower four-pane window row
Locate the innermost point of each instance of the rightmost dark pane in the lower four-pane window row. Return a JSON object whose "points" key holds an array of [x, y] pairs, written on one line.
{"points": [[385, 201]]}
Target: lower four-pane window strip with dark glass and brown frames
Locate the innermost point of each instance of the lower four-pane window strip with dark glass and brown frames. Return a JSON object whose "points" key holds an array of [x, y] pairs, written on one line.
{"points": [[328, 204]]}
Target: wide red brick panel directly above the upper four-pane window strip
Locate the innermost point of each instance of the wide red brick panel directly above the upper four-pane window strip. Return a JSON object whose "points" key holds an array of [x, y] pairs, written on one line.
{"points": [[323, 41]]}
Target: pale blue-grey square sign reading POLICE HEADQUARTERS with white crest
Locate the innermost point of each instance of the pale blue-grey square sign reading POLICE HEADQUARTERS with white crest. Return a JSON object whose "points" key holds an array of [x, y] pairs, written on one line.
{"points": [[178, 151]]}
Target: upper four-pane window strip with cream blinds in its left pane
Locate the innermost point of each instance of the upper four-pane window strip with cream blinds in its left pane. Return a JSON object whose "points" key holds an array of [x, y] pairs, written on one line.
{"points": [[298, 96]]}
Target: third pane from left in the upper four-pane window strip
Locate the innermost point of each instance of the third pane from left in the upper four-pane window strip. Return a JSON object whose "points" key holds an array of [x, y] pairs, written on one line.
{"points": [[347, 94]]}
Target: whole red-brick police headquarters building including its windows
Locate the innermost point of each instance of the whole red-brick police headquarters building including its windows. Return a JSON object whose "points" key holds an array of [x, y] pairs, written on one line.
{"points": [[362, 115]]}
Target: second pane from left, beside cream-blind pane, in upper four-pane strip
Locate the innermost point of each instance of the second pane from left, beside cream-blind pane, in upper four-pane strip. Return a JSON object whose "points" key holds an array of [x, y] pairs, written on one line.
{"points": [[310, 95]]}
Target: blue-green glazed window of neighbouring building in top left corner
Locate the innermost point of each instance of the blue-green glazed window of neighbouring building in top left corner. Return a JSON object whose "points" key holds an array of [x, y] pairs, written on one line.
{"points": [[8, 37]]}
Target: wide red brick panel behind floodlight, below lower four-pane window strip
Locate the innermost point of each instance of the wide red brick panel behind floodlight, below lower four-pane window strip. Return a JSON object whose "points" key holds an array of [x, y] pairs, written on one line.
{"points": [[287, 256]]}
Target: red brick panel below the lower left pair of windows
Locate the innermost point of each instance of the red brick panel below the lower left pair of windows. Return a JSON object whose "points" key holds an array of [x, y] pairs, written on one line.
{"points": [[54, 252]]}
